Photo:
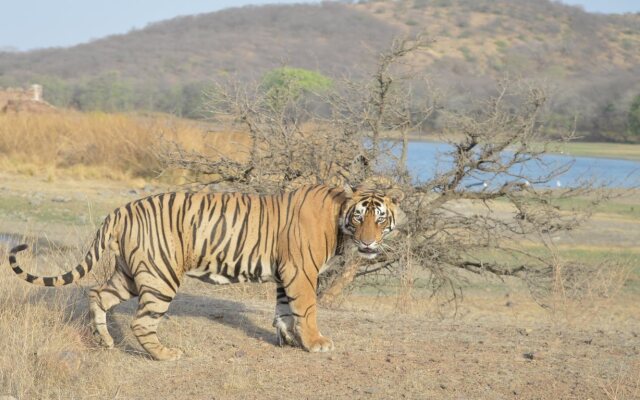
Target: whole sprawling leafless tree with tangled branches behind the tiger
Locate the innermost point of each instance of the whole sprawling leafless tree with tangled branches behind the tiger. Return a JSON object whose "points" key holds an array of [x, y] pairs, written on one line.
{"points": [[481, 202]]}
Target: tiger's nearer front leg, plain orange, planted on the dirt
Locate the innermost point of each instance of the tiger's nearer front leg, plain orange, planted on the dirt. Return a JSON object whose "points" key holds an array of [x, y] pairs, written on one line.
{"points": [[300, 289]]}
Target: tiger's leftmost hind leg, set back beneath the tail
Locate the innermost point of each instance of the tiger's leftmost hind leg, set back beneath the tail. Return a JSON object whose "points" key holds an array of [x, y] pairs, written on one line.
{"points": [[119, 288]]}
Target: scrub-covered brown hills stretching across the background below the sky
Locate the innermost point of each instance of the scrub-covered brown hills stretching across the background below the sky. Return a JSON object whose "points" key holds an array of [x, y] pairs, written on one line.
{"points": [[589, 61]]}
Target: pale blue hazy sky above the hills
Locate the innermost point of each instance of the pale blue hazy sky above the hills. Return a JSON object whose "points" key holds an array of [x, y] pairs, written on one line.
{"points": [[31, 24]]}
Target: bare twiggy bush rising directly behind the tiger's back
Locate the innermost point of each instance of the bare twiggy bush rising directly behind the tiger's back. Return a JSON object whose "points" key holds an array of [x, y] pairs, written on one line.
{"points": [[290, 144]]}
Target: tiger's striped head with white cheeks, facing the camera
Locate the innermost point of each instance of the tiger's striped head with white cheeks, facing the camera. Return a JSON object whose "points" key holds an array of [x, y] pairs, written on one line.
{"points": [[369, 216]]}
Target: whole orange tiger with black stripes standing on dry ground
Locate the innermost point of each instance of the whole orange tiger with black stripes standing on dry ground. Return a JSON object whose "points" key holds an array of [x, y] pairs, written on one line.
{"points": [[224, 238]]}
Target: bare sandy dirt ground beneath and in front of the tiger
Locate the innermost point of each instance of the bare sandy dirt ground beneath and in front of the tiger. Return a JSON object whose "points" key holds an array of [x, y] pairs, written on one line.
{"points": [[491, 352]]}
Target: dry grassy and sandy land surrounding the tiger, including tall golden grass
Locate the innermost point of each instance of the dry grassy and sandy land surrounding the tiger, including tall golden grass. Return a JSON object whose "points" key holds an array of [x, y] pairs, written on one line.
{"points": [[61, 173]]}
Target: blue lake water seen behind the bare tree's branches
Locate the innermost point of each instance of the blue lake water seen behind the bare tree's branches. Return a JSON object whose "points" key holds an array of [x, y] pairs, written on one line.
{"points": [[425, 159]]}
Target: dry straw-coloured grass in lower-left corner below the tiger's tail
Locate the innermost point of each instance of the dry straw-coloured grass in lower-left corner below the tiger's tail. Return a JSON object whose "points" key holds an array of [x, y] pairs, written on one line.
{"points": [[45, 341]]}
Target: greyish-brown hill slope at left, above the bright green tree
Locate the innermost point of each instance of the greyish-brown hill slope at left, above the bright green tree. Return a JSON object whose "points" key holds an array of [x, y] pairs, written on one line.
{"points": [[332, 38]]}
